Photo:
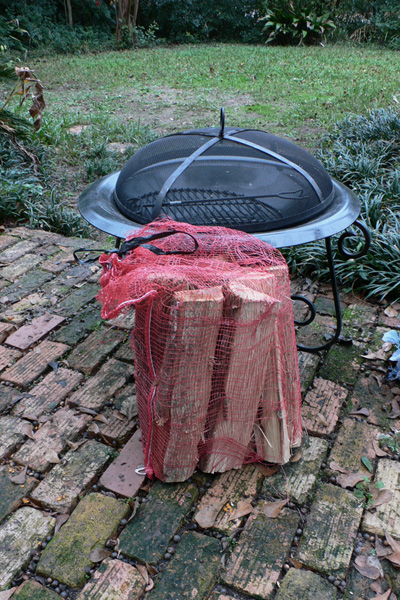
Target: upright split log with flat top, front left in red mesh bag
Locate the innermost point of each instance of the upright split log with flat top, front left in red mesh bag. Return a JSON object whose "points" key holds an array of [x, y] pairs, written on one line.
{"points": [[195, 319]]}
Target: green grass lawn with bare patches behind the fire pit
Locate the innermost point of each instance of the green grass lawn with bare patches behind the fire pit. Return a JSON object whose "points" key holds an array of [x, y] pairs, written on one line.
{"points": [[131, 97]]}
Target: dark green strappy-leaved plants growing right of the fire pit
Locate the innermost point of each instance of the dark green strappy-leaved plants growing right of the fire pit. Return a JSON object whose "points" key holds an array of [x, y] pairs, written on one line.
{"points": [[363, 152]]}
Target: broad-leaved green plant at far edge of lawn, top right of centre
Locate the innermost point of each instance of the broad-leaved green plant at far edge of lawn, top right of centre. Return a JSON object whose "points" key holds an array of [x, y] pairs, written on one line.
{"points": [[296, 21]]}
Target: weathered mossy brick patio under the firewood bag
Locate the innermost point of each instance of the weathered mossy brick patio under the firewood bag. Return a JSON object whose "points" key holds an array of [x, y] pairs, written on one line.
{"points": [[80, 523]]}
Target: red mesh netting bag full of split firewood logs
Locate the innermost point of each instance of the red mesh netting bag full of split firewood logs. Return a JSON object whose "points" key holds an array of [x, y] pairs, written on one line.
{"points": [[216, 369]]}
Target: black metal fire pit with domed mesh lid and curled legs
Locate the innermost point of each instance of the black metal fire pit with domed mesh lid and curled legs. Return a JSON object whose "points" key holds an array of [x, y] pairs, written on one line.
{"points": [[238, 178]]}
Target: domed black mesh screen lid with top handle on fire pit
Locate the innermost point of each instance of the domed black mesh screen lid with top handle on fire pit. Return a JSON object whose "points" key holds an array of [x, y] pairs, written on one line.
{"points": [[240, 178]]}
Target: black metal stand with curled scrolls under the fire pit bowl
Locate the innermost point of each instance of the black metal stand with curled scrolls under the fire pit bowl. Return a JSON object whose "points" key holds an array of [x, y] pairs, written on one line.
{"points": [[338, 315]]}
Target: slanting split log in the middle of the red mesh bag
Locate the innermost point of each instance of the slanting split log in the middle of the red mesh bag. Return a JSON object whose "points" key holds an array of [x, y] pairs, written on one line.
{"points": [[231, 428]]}
